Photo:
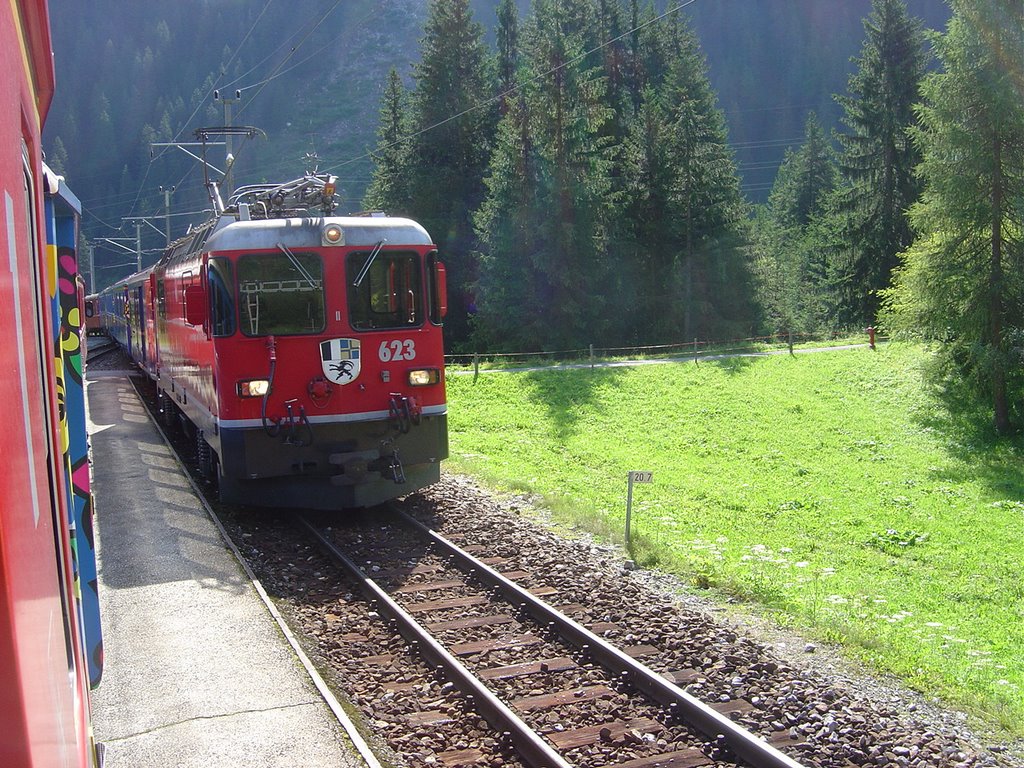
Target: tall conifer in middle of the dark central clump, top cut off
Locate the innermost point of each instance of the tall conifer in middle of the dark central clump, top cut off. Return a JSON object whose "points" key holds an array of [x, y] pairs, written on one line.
{"points": [[557, 138]]}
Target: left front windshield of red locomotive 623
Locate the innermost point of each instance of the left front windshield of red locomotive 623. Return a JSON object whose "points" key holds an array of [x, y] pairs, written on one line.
{"points": [[281, 293]]}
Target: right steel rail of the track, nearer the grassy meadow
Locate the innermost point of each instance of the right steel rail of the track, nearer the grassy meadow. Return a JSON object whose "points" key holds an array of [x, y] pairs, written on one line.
{"points": [[684, 706]]}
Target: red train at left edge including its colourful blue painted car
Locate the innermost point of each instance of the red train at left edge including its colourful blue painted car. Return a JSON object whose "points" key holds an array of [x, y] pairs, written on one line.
{"points": [[51, 644]]}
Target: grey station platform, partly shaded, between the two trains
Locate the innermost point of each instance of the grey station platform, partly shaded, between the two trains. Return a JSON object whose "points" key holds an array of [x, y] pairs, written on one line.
{"points": [[197, 672]]}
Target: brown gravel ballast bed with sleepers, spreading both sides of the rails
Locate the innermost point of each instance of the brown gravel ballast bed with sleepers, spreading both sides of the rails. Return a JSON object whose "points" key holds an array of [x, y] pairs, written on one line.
{"points": [[414, 713]]}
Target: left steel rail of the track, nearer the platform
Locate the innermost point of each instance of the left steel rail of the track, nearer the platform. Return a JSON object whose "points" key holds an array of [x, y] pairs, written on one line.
{"points": [[534, 750]]}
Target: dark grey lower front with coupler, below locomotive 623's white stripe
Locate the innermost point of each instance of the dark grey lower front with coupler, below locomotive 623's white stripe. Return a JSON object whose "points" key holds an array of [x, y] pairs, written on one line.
{"points": [[331, 466]]}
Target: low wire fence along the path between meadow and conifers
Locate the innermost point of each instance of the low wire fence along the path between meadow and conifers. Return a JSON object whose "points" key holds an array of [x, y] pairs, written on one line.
{"points": [[697, 350]]}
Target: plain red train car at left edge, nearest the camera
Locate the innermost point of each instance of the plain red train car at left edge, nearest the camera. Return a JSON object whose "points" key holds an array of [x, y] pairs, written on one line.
{"points": [[45, 689]]}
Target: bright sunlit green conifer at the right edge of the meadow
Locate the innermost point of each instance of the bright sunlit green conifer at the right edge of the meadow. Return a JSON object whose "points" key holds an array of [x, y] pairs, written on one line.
{"points": [[963, 280]]}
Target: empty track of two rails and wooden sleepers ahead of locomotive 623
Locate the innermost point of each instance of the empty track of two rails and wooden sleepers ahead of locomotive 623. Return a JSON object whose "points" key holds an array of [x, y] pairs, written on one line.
{"points": [[559, 693]]}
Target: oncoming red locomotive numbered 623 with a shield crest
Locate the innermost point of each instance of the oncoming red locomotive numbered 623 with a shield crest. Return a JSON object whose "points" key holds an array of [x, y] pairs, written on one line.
{"points": [[304, 350]]}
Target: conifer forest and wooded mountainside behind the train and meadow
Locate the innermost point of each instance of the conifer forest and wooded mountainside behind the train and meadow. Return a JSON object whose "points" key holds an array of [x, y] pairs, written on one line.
{"points": [[609, 173]]}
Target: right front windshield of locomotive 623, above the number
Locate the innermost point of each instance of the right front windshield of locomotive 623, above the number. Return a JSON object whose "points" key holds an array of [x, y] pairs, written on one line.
{"points": [[391, 292]]}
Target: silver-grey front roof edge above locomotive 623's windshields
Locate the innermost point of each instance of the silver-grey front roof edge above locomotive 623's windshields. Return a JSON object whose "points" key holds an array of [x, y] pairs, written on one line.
{"points": [[232, 235]]}
